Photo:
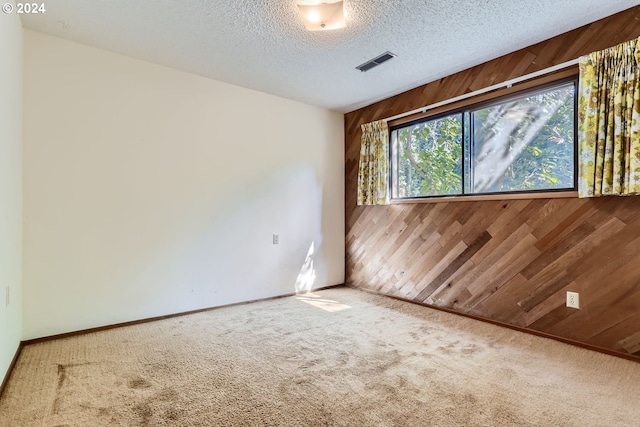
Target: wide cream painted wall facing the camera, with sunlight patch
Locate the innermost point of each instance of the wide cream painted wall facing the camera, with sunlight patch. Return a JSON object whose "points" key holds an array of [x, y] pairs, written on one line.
{"points": [[151, 191]]}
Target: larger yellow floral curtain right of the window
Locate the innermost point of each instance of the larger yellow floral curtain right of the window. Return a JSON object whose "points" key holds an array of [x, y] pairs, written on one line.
{"points": [[609, 122]]}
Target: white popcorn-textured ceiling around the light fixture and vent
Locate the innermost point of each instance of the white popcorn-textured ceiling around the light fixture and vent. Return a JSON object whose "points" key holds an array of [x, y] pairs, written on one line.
{"points": [[262, 44]]}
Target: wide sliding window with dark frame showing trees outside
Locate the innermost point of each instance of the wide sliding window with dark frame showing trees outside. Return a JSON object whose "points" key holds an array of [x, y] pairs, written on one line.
{"points": [[523, 142]]}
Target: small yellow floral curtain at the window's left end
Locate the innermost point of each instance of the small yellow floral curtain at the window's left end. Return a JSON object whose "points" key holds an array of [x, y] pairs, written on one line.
{"points": [[373, 174]]}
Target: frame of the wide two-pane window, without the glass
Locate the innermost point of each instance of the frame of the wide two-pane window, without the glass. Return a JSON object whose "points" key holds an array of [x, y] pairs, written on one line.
{"points": [[530, 87]]}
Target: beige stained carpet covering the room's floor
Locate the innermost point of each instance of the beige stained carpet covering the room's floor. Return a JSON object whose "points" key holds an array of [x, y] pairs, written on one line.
{"points": [[338, 357]]}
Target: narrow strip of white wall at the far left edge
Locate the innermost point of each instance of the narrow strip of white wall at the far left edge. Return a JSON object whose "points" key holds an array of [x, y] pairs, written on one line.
{"points": [[10, 187]]}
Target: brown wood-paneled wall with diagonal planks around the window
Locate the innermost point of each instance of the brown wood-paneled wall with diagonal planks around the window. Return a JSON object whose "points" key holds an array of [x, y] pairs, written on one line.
{"points": [[510, 261]]}
